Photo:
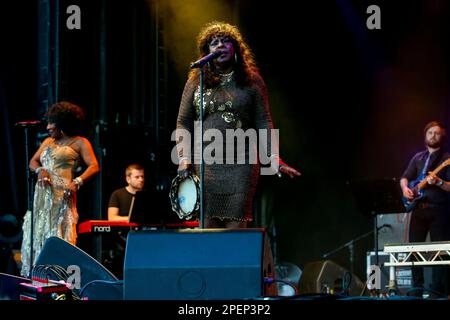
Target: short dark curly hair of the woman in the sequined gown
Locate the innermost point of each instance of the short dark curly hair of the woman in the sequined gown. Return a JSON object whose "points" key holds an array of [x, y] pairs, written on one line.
{"points": [[67, 117]]}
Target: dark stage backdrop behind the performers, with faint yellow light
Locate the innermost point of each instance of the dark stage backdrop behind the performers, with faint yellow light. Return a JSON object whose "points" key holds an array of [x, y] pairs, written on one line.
{"points": [[350, 102]]}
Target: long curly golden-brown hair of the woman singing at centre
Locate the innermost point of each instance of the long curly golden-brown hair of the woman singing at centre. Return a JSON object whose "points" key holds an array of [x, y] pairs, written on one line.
{"points": [[245, 64]]}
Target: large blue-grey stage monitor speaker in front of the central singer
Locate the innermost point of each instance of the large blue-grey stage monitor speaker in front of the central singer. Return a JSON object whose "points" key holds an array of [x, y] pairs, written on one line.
{"points": [[197, 264]]}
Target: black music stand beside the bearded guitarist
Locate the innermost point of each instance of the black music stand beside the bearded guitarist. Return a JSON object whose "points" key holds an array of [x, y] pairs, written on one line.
{"points": [[375, 197]]}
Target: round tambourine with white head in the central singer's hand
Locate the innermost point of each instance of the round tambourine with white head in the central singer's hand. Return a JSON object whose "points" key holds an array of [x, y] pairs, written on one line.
{"points": [[185, 196]]}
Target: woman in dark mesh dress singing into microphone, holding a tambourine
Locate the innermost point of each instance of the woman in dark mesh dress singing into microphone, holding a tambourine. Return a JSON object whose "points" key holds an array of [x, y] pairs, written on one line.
{"points": [[235, 101]]}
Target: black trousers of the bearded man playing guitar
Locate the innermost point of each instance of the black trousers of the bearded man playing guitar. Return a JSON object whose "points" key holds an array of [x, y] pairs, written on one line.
{"points": [[435, 220]]}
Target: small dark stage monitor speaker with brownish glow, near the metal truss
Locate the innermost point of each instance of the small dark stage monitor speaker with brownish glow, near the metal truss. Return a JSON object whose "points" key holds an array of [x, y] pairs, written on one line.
{"points": [[324, 276]]}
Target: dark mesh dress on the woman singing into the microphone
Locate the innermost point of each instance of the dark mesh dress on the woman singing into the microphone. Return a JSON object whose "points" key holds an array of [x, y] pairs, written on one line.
{"points": [[228, 188]]}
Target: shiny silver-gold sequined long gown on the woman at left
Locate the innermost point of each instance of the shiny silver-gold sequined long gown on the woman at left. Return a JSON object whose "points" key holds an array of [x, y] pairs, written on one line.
{"points": [[54, 211]]}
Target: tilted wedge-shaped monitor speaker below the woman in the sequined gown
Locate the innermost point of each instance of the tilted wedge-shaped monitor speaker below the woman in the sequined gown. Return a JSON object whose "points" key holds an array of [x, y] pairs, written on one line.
{"points": [[56, 251]]}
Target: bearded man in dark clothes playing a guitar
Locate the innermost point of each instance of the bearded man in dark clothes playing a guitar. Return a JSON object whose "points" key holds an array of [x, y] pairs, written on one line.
{"points": [[429, 202]]}
